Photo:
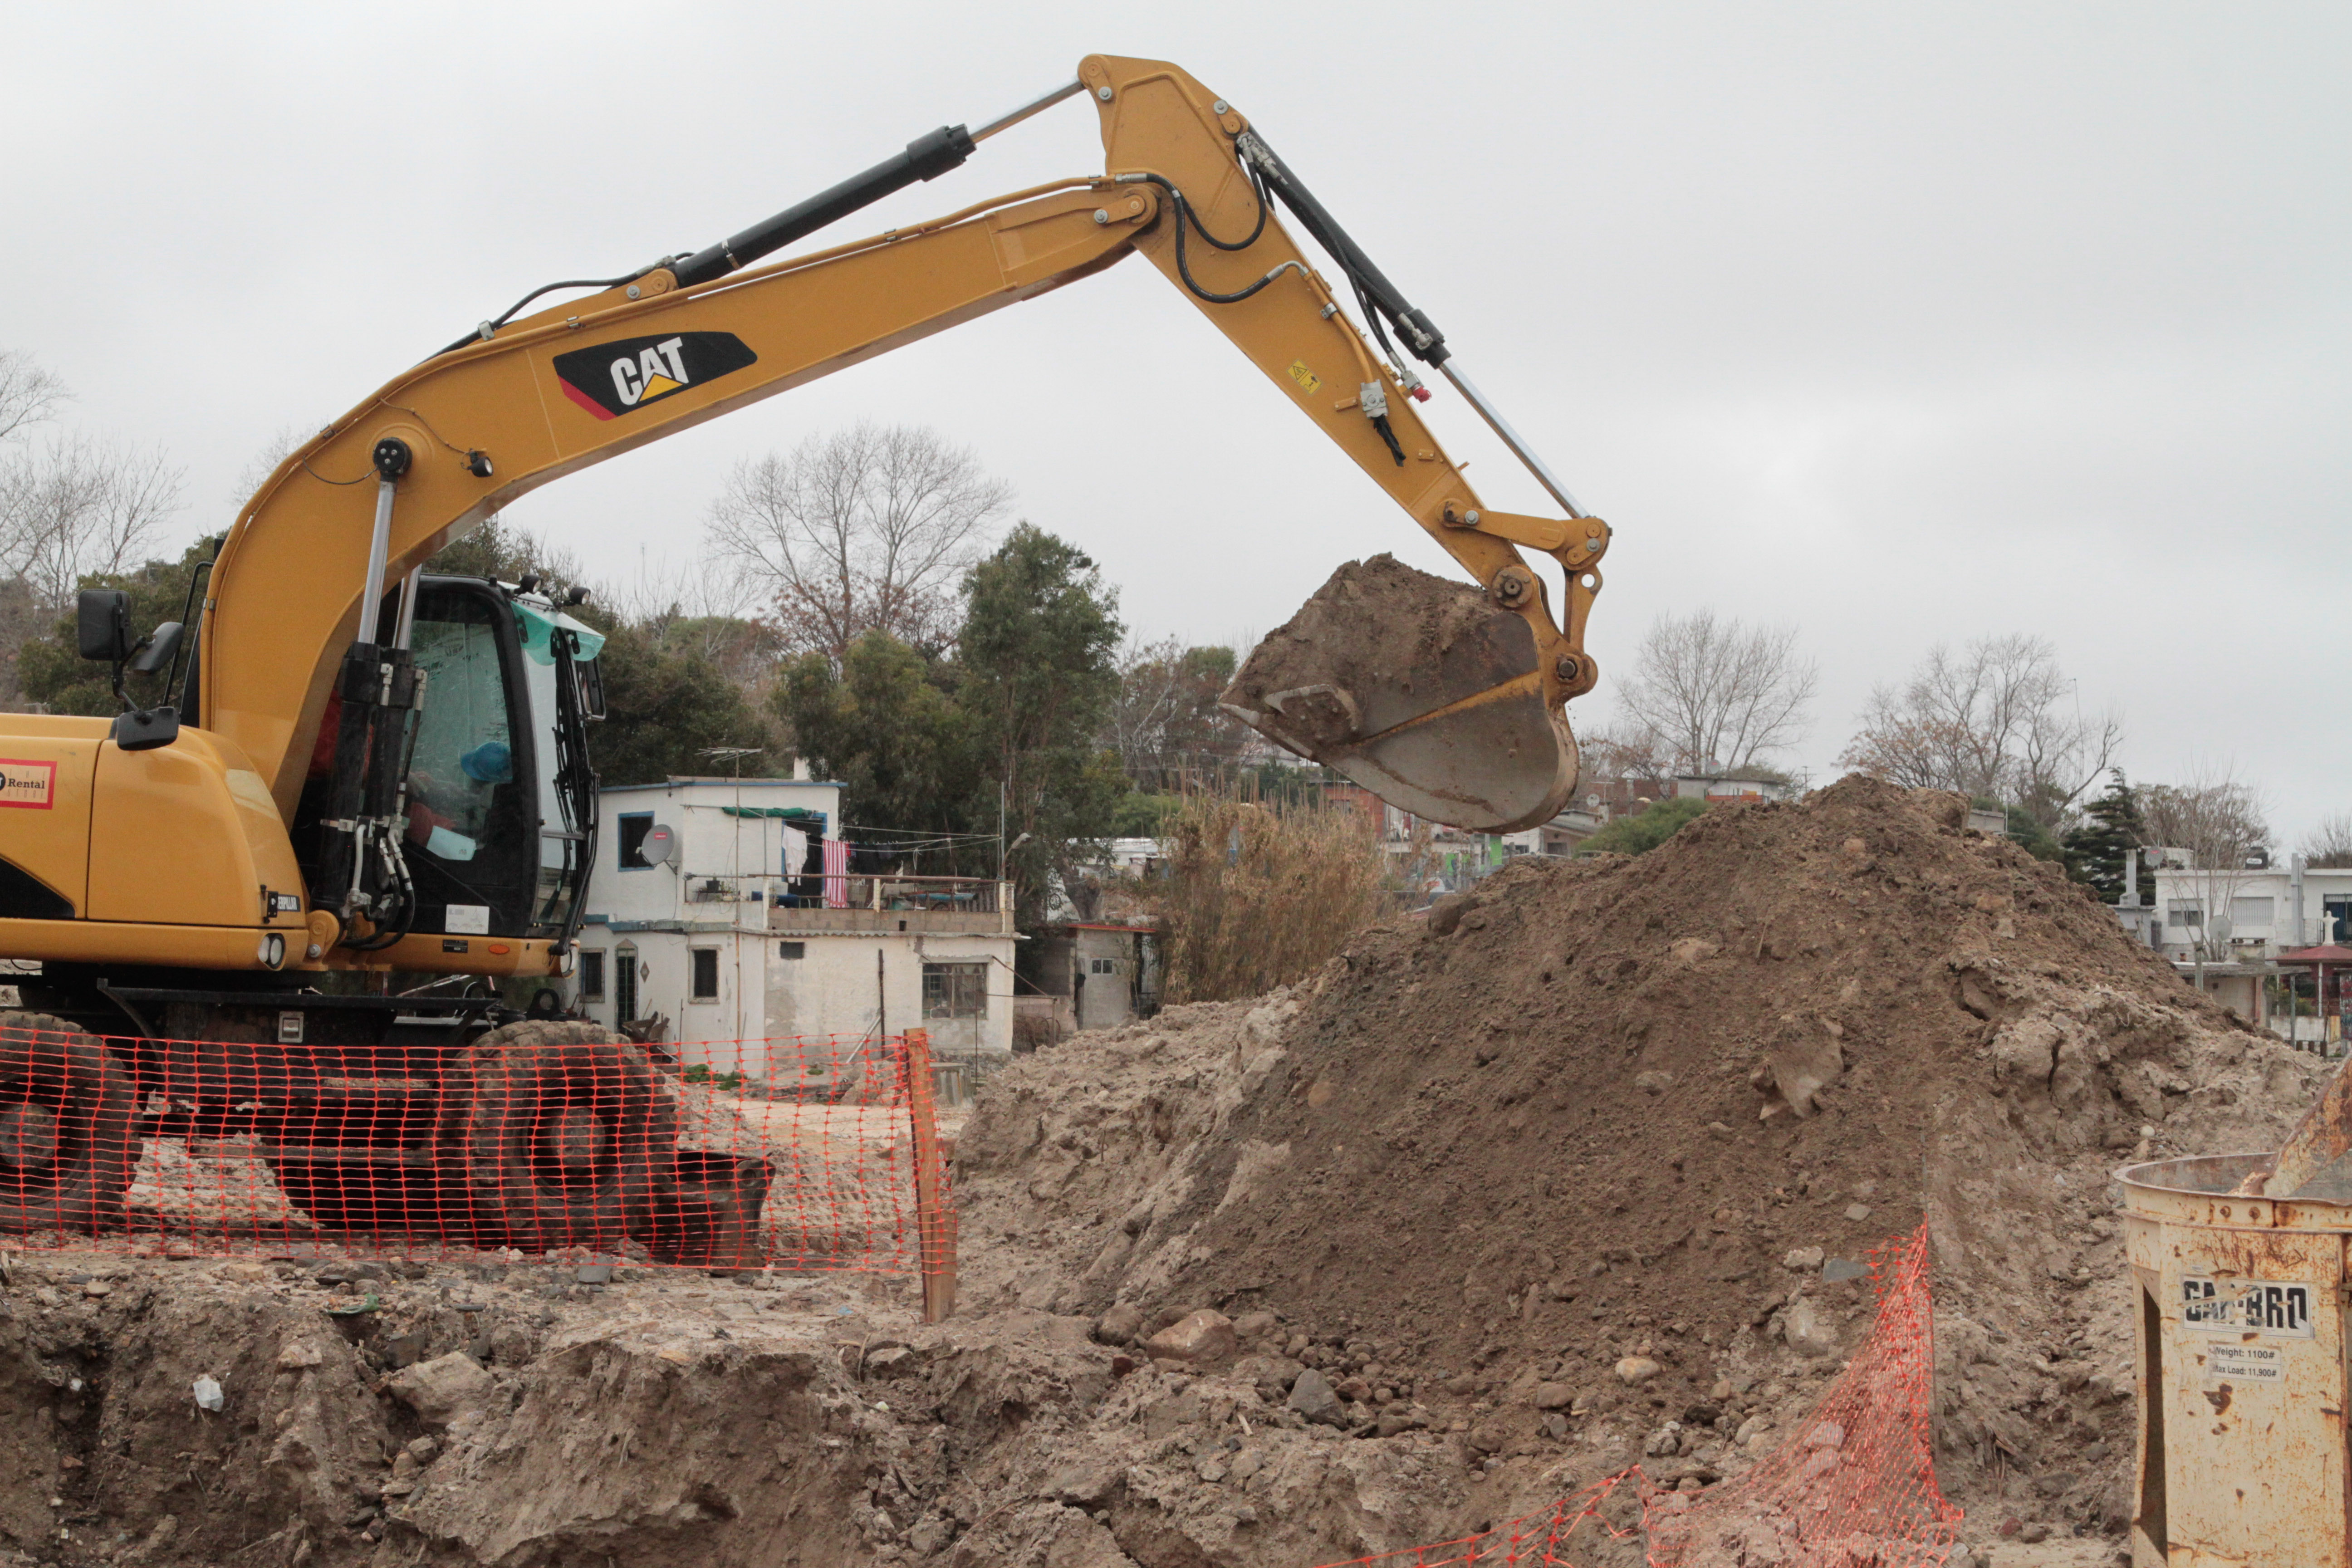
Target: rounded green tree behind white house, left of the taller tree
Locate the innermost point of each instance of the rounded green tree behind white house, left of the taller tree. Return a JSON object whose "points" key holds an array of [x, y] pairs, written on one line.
{"points": [[888, 728]]}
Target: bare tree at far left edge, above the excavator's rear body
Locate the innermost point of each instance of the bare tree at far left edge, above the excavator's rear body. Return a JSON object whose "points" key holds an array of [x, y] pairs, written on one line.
{"points": [[81, 507]]}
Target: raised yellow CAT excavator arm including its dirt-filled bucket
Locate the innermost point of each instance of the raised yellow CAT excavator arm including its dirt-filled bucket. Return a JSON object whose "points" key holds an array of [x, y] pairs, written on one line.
{"points": [[1455, 716]]}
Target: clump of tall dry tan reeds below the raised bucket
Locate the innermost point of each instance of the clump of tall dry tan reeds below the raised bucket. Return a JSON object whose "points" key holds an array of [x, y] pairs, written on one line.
{"points": [[1262, 894]]}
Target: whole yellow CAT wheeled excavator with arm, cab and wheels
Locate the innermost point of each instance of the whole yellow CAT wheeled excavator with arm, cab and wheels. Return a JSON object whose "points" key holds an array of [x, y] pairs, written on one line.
{"points": [[361, 768]]}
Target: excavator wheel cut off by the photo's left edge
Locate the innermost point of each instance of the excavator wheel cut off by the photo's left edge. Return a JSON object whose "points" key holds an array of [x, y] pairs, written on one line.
{"points": [[67, 1111]]}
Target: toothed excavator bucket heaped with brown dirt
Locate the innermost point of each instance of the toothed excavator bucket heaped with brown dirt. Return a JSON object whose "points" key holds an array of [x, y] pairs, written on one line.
{"points": [[1422, 692]]}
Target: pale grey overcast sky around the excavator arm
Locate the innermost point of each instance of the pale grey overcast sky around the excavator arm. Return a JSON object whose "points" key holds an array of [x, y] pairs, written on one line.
{"points": [[1899, 323]]}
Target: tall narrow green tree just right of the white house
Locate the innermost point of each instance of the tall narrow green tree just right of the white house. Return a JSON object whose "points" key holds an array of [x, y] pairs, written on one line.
{"points": [[1038, 683]]}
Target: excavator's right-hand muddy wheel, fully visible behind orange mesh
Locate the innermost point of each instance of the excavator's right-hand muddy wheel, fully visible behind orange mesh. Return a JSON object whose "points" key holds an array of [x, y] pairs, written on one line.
{"points": [[556, 1134]]}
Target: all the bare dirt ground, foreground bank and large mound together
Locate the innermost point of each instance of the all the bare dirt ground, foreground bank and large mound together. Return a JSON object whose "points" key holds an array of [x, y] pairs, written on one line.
{"points": [[1398, 1235]]}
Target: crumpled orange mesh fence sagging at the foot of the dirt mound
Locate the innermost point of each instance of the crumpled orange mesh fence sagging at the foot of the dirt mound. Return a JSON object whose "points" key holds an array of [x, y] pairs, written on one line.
{"points": [[1850, 1487]]}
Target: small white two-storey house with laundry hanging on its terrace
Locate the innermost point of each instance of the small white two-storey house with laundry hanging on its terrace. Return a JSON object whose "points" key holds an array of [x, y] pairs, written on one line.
{"points": [[728, 911]]}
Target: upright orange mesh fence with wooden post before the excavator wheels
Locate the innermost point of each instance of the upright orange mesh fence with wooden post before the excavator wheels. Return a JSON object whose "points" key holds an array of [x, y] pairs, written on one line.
{"points": [[544, 1137]]}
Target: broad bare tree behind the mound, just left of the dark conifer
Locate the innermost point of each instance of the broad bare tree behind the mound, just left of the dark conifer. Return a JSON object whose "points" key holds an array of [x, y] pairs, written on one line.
{"points": [[1996, 721]]}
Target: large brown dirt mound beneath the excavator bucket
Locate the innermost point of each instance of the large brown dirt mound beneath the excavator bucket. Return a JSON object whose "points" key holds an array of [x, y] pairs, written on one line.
{"points": [[1652, 1113]]}
